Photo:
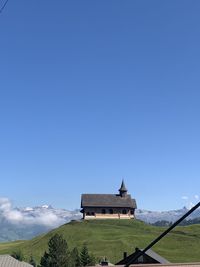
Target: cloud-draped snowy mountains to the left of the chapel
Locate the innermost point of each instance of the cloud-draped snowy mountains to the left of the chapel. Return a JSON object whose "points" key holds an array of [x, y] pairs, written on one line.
{"points": [[26, 223]]}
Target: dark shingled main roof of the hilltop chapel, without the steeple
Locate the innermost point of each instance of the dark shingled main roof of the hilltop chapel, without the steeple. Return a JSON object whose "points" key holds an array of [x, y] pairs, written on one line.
{"points": [[107, 200]]}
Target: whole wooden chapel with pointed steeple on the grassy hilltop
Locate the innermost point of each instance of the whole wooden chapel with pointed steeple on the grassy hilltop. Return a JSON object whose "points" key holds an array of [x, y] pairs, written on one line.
{"points": [[108, 206]]}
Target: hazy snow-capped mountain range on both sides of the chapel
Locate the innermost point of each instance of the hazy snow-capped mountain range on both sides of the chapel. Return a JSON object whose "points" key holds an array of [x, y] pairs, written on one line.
{"points": [[26, 223]]}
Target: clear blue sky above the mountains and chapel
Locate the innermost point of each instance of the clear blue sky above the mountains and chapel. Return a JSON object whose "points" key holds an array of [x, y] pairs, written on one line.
{"points": [[93, 91]]}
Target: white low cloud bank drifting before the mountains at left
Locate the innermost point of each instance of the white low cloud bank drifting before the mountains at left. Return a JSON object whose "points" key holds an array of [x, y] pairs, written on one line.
{"points": [[40, 216]]}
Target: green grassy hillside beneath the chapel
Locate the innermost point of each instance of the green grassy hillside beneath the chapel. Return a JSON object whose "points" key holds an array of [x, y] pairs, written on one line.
{"points": [[112, 237]]}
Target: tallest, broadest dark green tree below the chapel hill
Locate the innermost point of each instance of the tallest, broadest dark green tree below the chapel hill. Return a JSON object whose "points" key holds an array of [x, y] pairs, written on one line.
{"points": [[58, 254]]}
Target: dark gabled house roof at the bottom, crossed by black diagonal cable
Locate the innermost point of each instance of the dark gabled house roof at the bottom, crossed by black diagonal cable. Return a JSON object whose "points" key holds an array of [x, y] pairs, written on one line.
{"points": [[150, 253]]}
